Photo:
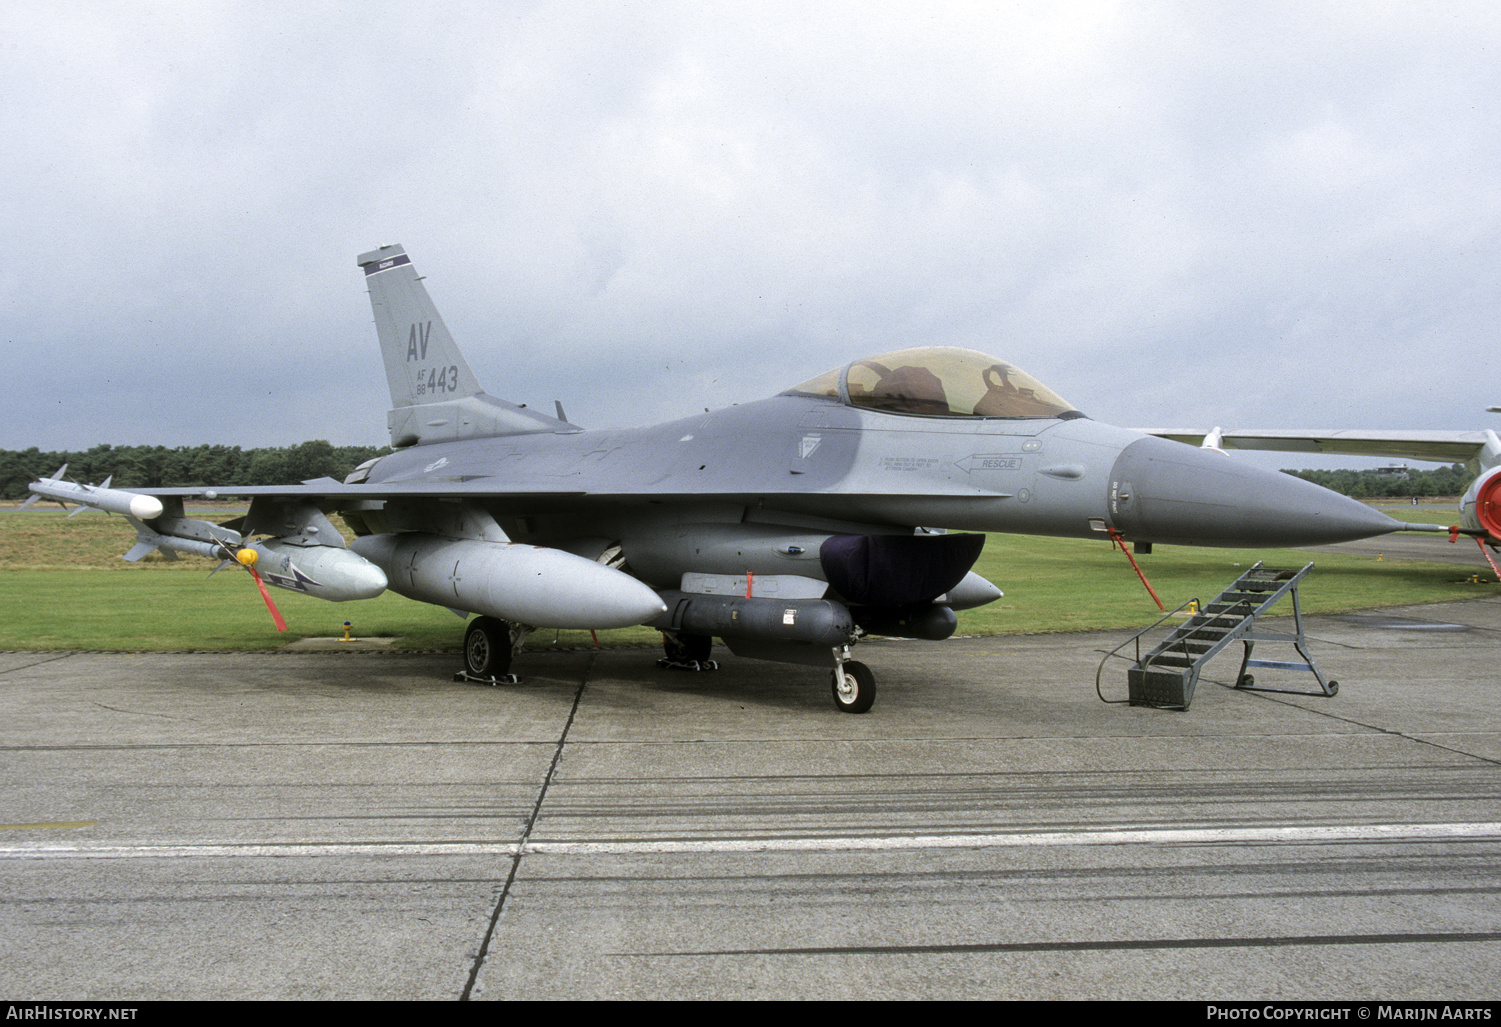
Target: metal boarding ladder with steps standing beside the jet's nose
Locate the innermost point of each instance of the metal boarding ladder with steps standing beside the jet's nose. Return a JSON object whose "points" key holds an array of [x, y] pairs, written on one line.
{"points": [[1167, 675]]}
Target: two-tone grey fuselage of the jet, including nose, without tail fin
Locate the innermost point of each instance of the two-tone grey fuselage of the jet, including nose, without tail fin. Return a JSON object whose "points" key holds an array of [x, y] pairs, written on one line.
{"points": [[765, 471]]}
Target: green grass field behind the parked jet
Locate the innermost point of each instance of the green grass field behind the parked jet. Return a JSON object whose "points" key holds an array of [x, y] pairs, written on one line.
{"points": [[64, 586]]}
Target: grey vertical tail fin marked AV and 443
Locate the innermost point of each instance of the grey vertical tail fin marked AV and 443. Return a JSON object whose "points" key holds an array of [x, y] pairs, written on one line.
{"points": [[435, 394]]}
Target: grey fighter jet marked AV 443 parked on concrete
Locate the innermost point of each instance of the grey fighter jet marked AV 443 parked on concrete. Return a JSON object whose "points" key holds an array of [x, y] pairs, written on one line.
{"points": [[792, 528]]}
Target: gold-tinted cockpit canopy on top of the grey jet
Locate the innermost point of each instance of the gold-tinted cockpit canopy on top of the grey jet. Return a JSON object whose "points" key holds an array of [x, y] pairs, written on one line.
{"points": [[939, 382]]}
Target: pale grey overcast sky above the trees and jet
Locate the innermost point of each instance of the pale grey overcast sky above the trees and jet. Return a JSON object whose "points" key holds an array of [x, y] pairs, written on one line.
{"points": [[1191, 214]]}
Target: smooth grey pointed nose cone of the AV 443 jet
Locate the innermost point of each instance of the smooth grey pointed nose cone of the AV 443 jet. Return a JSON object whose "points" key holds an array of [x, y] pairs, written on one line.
{"points": [[1166, 492]]}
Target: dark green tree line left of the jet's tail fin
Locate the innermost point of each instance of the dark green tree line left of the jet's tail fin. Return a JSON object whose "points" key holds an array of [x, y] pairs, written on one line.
{"points": [[184, 466]]}
